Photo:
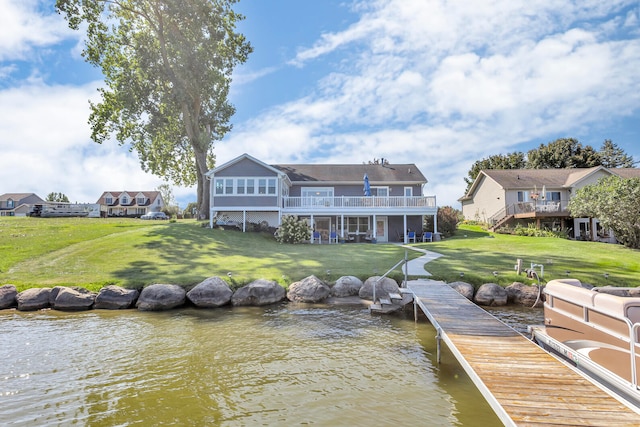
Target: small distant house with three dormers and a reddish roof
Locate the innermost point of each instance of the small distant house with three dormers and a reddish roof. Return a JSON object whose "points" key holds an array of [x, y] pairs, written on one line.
{"points": [[130, 203]]}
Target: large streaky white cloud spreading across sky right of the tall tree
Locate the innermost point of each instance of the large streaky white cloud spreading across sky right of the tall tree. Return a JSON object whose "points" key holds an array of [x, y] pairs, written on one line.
{"points": [[445, 83]]}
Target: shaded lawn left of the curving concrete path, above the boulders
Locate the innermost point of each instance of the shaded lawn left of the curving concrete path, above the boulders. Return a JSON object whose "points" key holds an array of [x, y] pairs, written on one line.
{"points": [[92, 253]]}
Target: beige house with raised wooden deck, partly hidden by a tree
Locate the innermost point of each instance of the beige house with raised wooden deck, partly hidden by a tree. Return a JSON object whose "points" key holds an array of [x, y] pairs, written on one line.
{"points": [[536, 196]]}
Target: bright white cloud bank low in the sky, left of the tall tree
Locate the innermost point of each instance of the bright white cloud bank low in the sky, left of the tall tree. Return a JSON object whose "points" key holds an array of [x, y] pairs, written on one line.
{"points": [[46, 146]]}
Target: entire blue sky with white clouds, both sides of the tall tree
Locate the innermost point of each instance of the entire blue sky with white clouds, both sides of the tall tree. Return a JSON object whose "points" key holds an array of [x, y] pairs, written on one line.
{"points": [[432, 82]]}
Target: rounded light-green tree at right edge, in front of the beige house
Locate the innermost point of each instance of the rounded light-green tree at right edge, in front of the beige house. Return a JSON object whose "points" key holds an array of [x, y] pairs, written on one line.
{"points": [[615, 202]]}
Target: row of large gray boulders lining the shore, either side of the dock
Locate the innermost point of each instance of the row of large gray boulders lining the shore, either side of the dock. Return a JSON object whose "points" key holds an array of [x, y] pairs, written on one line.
{"points": [[215, 292]]}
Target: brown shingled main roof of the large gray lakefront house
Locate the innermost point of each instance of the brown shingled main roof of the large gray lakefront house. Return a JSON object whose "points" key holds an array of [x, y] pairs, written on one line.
{"points": [[354, 173]]}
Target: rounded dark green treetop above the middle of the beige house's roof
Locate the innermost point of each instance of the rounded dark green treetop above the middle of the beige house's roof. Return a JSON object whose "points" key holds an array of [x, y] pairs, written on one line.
{"points": [[563, 153]]}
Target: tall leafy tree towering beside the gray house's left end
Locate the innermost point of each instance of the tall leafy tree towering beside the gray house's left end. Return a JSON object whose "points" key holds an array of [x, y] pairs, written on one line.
{"points": [[167, 67]]}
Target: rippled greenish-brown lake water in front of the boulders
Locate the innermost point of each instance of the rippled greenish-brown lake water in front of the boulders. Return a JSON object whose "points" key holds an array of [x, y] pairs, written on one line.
{"points": [[282, 365]]}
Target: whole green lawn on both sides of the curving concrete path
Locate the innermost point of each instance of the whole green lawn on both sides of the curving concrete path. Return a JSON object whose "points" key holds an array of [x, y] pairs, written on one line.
{"points": [[128, 252]]}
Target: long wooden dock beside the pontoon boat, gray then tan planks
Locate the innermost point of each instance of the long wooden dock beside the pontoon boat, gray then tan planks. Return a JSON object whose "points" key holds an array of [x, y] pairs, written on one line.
{"points": [[524, 385]]}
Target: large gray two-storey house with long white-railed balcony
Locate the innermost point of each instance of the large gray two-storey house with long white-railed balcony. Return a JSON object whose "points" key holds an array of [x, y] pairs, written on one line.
{"points": [[331, 196]]}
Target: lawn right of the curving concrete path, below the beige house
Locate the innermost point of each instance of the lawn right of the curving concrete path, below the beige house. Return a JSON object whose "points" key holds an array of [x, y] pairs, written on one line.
{"points": [[478, 254]]}
